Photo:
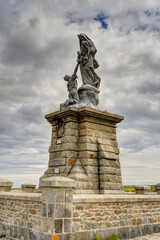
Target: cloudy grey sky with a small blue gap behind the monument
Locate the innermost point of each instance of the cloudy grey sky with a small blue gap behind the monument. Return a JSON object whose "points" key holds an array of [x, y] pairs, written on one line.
{"points": [[38, 46]]}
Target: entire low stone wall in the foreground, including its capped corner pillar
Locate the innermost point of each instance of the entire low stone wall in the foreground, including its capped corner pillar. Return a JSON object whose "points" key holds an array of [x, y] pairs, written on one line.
{"points": [[56, 211]]}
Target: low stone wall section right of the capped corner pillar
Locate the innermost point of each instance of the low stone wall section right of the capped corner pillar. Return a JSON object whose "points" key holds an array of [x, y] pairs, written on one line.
{"points": [[126, 215]]}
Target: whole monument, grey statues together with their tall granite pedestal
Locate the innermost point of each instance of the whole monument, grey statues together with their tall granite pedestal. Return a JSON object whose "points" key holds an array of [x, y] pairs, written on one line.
{"points": [[83, 143]]}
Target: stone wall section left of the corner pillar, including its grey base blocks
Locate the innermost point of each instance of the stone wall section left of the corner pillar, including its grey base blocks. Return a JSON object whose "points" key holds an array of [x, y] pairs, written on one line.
{"points": [[20, 215]]}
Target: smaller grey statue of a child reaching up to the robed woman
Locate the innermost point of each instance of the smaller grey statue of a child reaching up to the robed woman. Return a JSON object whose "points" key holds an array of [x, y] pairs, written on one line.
{"points": [[72, 88]]}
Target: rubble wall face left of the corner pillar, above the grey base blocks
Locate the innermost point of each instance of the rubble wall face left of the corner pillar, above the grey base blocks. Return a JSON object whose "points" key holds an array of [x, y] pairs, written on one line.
{"points": [[20, 210]]}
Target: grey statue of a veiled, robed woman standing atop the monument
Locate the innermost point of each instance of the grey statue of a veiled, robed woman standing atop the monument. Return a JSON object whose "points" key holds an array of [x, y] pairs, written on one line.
{"points": [[87, 61]]}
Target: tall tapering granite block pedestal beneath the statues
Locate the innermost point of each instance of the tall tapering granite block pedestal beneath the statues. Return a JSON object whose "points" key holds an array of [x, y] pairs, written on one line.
{"points": [[84, 147]]}
